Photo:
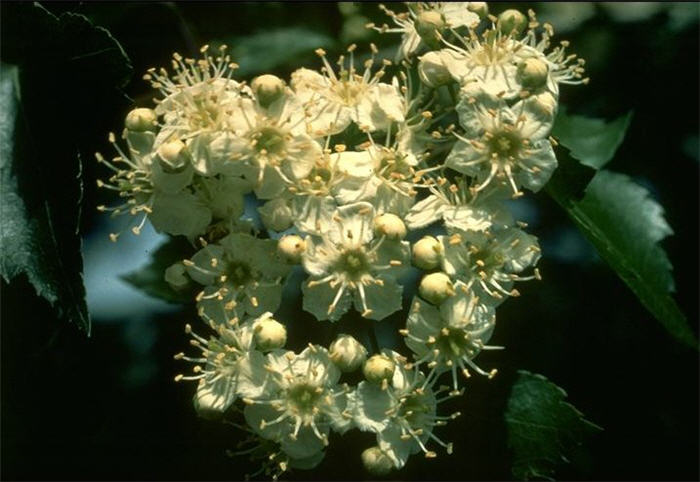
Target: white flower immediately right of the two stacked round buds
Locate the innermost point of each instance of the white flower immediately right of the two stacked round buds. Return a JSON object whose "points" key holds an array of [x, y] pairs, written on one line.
{"points": [[490, 264]]}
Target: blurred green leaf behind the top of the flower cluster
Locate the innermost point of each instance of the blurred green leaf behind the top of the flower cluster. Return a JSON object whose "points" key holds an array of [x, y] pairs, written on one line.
{"points": [[282, 47]]}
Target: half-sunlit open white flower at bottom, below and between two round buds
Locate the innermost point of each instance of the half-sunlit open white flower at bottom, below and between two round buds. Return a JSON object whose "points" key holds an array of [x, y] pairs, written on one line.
{"points": [[301, 402]]}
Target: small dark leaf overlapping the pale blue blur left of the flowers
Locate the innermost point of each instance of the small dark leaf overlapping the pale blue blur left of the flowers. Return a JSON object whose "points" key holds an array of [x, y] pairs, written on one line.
{"points": [[150, 277]]}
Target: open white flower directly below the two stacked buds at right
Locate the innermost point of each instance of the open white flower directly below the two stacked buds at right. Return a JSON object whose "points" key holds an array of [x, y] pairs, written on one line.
{"points": [[448, 337]]}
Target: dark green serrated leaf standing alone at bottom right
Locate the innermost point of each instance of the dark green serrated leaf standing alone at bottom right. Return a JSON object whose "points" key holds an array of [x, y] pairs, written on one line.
{"points": [[543, 429]]}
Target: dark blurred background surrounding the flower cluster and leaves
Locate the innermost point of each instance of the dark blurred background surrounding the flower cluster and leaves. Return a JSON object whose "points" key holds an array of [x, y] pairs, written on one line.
{"points": [[106, 407]]}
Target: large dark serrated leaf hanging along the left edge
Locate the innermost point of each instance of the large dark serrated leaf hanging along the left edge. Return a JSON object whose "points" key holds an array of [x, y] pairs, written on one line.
{"points": [[66, 74]]}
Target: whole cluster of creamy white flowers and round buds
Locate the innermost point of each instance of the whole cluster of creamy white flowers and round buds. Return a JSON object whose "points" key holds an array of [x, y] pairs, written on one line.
{"points": [[360, 176]]}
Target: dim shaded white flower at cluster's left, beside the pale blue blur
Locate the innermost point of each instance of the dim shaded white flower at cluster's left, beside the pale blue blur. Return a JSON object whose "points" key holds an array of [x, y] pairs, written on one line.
{"points": [[241, 273]]}
